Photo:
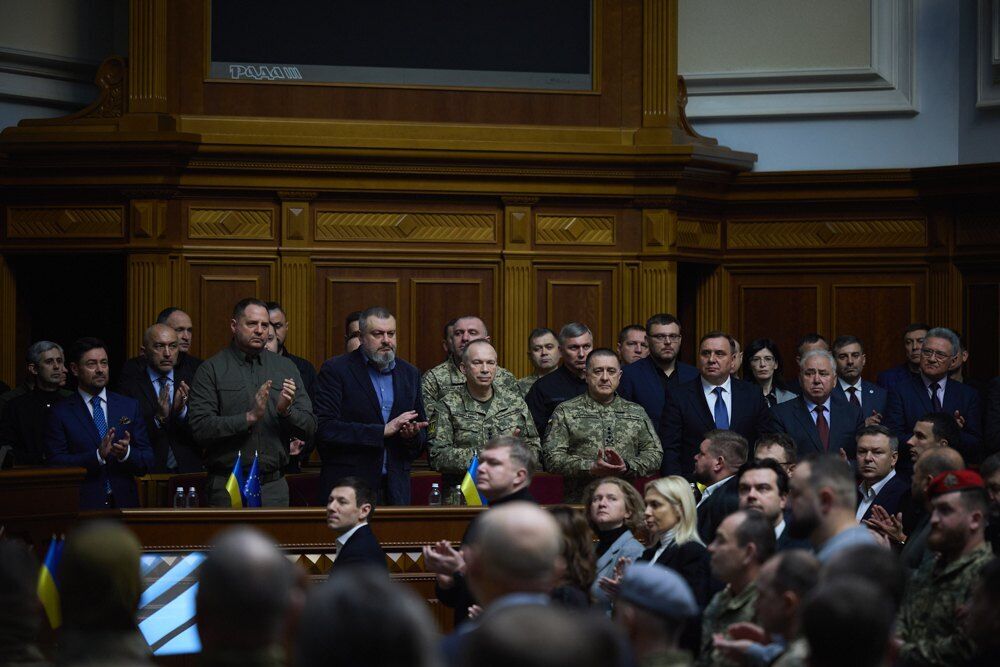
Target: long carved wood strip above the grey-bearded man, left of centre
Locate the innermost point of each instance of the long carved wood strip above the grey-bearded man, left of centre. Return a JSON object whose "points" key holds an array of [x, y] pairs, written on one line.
{"points": [[369, 226]]}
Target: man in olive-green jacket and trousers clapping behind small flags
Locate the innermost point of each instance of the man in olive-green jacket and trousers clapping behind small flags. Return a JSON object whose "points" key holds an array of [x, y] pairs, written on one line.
{"points": [[247, 401]]}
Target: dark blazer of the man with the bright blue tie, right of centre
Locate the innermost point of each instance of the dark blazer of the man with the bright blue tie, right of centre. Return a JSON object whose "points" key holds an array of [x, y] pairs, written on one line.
{"points": [[686, 418]]}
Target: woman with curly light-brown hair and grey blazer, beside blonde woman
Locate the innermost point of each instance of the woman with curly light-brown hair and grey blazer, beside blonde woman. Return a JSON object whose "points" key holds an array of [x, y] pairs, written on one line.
{"points": [[615, 513]]}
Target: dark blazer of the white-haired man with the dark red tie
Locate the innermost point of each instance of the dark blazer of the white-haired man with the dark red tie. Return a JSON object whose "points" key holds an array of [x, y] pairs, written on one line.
{"points": [[792, 417]]}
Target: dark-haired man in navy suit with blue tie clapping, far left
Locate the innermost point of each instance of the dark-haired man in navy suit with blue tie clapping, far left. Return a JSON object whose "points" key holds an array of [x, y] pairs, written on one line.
{"points": [[100, 431]]}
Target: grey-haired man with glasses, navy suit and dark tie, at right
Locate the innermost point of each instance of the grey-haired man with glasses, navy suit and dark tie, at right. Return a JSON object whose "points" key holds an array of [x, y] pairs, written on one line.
{"points": [[934, 392]]}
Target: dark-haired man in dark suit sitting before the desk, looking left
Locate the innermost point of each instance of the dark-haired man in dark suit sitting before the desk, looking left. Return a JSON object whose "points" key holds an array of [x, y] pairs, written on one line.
{"points": [[350, 506]]}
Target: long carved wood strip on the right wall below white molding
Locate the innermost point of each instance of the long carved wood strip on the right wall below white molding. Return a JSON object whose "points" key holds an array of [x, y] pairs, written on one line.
{"points": [[891, 233]]}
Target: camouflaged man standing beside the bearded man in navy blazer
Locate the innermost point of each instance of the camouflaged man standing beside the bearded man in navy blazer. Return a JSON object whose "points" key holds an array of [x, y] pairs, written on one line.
{"points": [[476, 413]]}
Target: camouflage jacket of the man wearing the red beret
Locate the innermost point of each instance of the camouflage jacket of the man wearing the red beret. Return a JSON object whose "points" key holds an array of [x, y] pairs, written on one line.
{"points": [[928, 622]]}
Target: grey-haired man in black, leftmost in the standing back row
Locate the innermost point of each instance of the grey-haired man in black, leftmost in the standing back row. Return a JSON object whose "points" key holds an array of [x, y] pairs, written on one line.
{"points": [[23, 424]]}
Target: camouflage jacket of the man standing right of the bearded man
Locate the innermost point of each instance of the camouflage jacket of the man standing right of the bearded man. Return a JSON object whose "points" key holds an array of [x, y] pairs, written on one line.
{"points": [[461, 426]]}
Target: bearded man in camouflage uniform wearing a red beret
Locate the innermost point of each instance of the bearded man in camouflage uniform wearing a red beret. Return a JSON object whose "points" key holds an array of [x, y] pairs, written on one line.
{"points": [[929, 626]]}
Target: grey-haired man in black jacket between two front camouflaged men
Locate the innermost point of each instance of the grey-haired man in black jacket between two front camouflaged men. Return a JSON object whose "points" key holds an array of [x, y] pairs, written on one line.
{"points": [[569, 381]]}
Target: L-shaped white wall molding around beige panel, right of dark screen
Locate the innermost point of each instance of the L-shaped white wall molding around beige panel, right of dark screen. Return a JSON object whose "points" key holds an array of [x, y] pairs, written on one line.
{"points": [[886, 86]]}
